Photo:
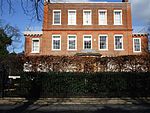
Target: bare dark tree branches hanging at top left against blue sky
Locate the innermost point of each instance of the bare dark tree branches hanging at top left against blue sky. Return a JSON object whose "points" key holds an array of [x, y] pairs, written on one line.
{"points": [[32, 8]]}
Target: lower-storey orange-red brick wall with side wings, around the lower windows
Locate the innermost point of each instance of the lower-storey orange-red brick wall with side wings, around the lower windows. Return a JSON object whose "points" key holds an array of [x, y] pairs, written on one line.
{"points": [[46, 43]]}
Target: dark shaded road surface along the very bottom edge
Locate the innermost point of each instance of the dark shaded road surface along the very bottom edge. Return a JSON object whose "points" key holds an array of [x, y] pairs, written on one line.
{"points": [[31, 108]]}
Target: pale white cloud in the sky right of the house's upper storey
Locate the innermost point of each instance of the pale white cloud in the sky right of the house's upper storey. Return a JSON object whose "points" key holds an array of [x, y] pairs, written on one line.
{"points": [[141, 10]]}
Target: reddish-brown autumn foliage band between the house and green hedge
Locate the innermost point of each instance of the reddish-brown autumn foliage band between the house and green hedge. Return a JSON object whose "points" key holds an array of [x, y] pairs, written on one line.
{"points": [[132, 63]]}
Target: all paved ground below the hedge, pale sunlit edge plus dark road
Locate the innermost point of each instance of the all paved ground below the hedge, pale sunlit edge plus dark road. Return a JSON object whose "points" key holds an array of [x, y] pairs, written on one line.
{"points": [[75, 105]]}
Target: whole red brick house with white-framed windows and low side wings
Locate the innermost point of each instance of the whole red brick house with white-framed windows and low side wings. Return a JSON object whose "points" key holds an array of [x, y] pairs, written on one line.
{"points": [[97, 27]]}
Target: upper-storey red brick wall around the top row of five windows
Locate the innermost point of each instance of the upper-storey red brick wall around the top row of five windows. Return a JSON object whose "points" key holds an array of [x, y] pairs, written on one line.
{"points": [[94, 7]]}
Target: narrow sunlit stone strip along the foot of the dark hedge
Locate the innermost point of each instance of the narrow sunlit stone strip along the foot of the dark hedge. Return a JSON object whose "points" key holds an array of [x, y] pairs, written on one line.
{"points": [[55, 101]]}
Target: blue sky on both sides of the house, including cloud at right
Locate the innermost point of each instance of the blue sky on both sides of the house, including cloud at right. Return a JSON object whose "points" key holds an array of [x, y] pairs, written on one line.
{"points": [[140, 15]]}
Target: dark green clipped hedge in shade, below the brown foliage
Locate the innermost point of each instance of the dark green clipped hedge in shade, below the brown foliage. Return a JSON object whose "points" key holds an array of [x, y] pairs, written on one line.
{"points": [[83, 85]]}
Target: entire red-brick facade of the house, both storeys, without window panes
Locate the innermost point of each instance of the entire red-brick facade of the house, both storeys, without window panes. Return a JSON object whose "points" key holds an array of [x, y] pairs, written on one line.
{"points": [[80, 30]]}
